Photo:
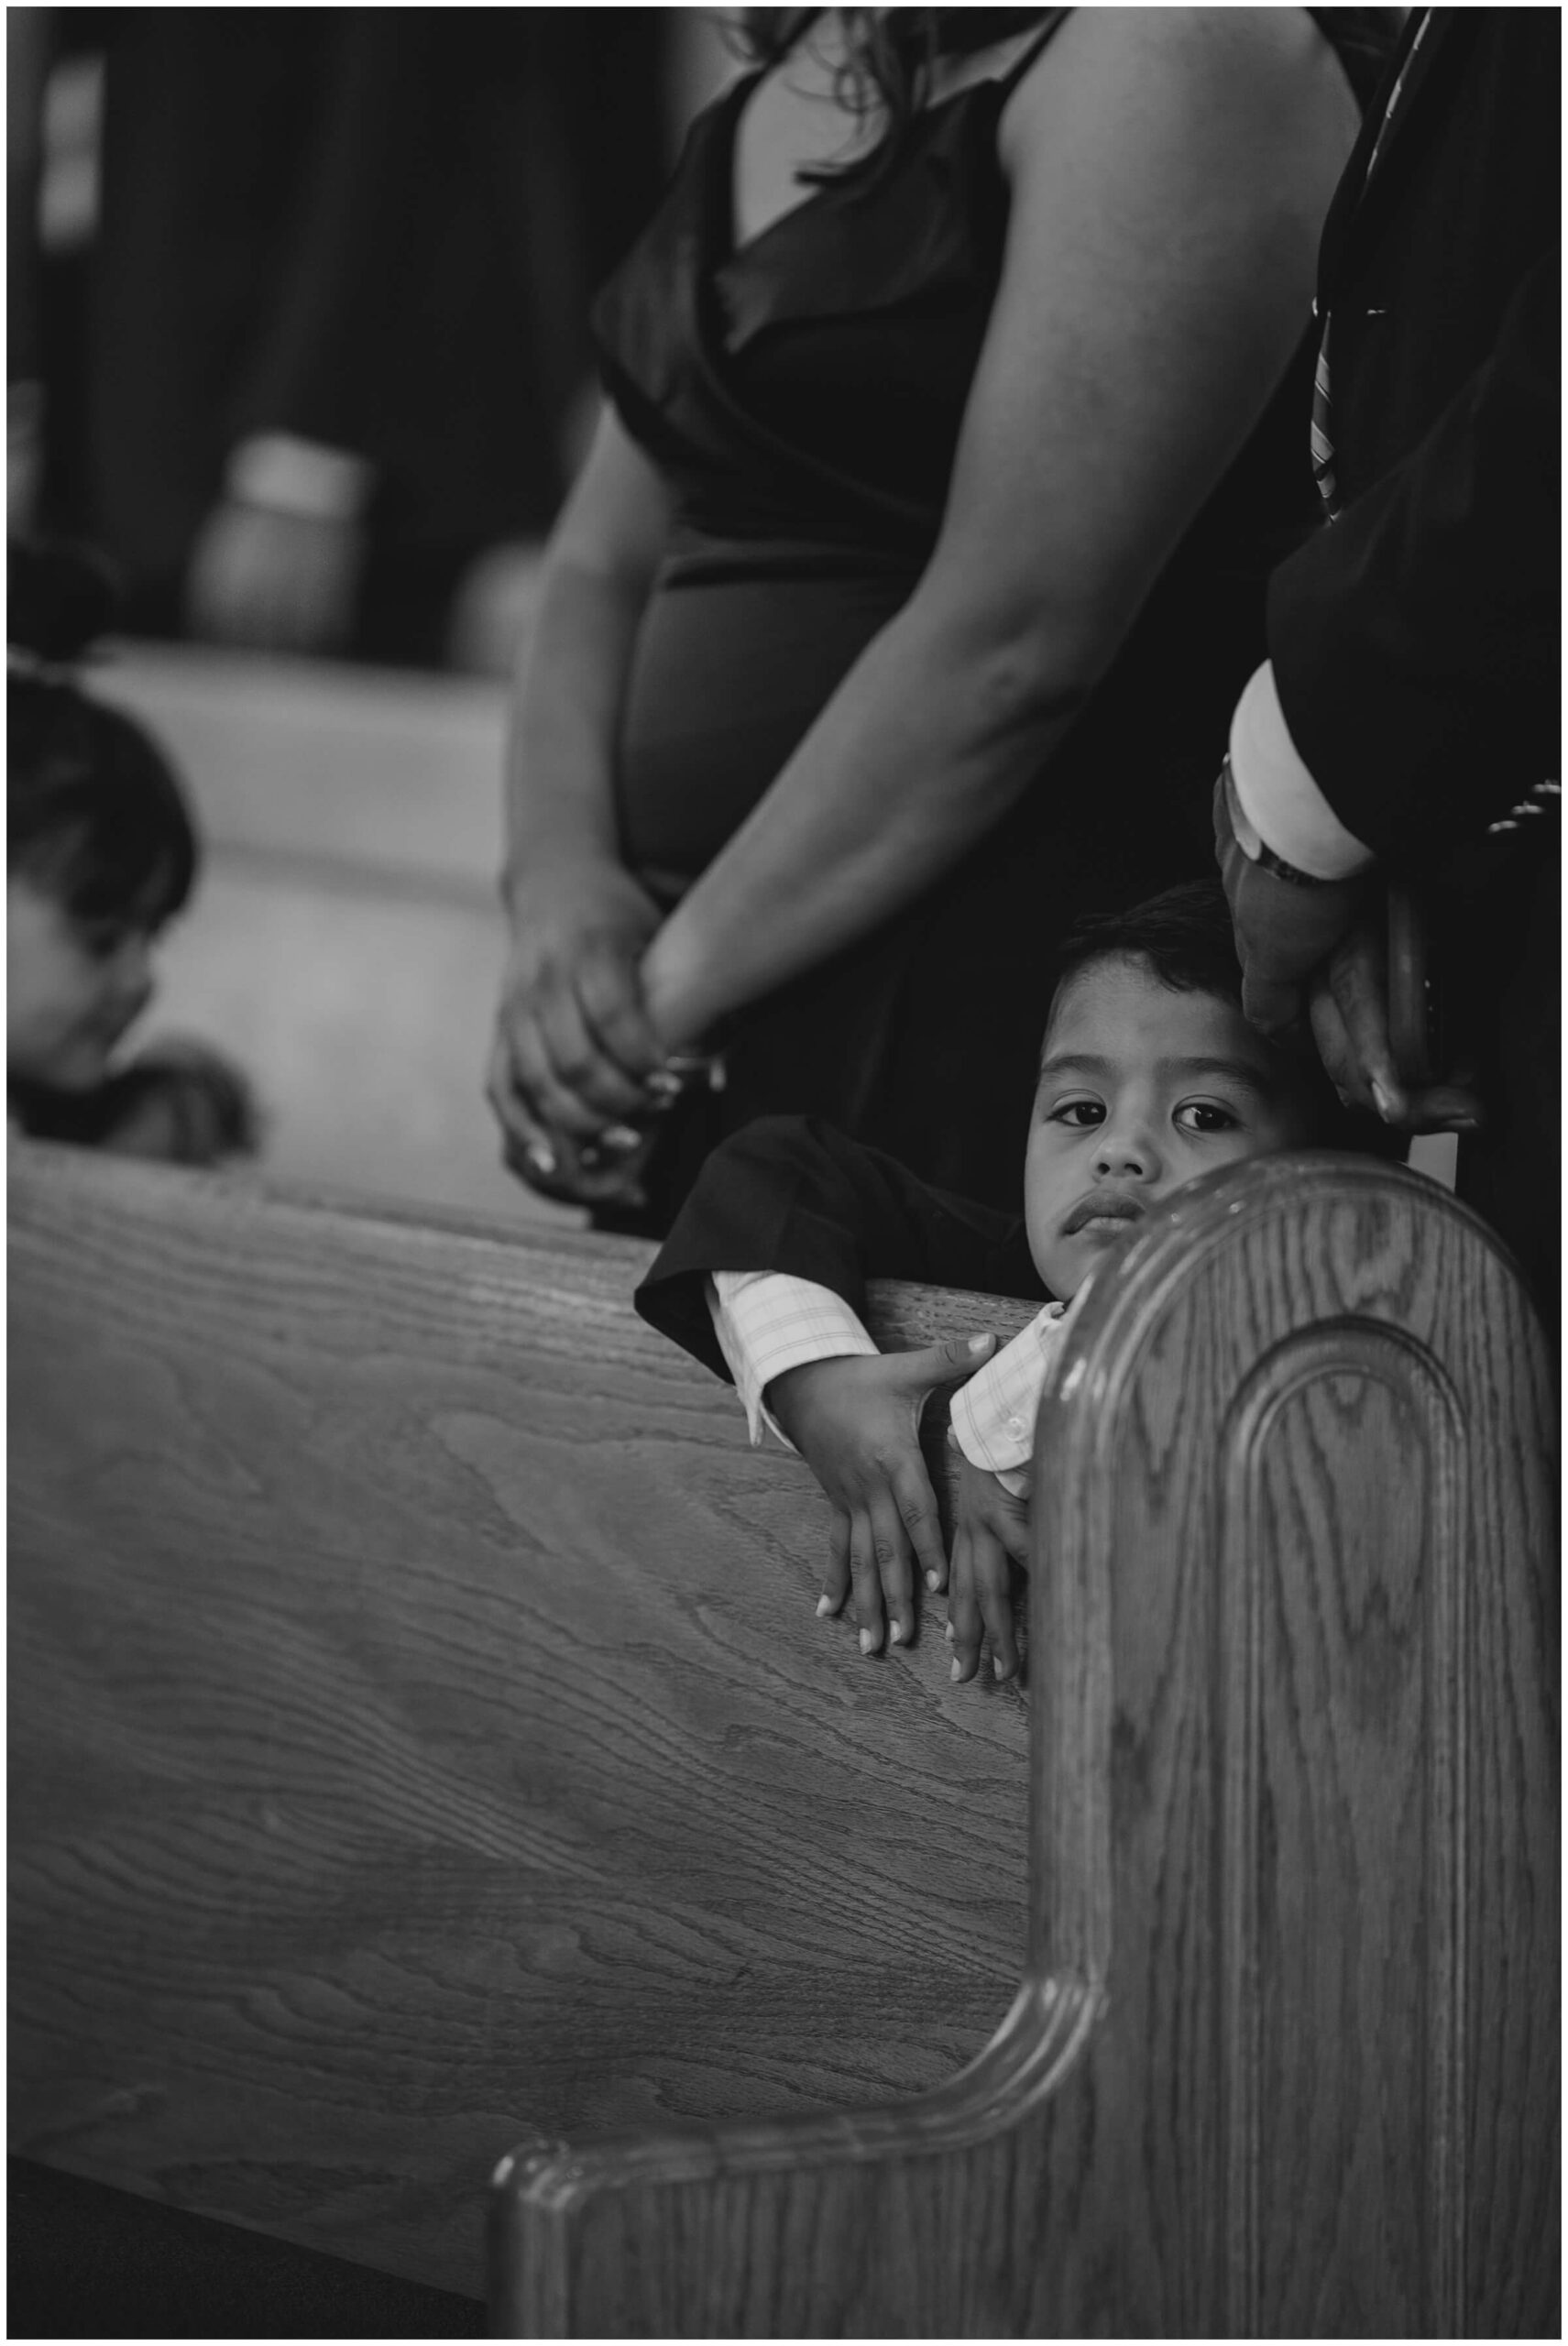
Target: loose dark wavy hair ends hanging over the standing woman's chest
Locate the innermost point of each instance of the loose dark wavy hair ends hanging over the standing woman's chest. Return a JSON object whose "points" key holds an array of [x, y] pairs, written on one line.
{"points": [[891, 57]]}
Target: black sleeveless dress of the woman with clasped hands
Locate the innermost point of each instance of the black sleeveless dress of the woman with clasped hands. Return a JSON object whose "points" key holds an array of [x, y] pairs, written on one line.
{"points": [[804, 400]]}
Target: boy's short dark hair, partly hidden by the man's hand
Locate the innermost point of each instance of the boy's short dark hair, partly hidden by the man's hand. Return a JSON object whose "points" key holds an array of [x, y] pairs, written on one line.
{"points": [[1189, 942]]}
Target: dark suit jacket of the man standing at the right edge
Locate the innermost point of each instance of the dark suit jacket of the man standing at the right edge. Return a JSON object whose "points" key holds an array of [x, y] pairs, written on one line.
{"points": [[1417, 637]]}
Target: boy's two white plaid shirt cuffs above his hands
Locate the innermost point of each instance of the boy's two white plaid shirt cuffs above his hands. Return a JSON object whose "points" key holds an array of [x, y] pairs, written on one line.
{"points": [[769, 1322]]}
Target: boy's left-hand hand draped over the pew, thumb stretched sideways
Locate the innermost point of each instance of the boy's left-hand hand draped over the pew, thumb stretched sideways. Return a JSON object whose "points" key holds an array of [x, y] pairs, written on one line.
{"points": [[858, 1428]]}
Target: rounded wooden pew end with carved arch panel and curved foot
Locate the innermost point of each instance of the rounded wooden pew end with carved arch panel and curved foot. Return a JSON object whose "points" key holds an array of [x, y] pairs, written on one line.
{"points": [[1285, 2052]]}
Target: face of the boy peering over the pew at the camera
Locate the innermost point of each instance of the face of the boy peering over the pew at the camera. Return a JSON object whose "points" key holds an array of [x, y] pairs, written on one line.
{"points": [[1142, 1090]]}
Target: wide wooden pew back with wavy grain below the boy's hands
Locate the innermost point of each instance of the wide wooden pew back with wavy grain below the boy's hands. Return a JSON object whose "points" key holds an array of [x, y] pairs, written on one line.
{"points": [[421, 1730]]}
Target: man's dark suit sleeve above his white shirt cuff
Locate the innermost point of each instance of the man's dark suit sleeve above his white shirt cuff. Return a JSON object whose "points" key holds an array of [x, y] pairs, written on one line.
{"points": [[1417, 639]]}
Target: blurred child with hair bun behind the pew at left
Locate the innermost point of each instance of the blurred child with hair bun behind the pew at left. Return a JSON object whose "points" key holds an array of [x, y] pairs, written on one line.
{"points": [[102, 855]]}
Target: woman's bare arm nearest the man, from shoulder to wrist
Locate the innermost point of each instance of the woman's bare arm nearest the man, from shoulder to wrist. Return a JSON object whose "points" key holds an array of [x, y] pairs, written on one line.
{"points": [[1170, 175]]}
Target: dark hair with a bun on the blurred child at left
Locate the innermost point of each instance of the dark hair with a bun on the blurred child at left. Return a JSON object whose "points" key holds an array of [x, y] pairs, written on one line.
{"points": [[95, 815]]}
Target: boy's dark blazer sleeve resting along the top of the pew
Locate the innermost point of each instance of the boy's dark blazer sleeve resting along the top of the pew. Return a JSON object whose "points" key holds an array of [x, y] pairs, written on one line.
{"points": [[797, 1195]]}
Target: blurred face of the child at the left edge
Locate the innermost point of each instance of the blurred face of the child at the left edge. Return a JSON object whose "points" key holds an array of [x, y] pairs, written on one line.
{"points": [[72, 989]]}
